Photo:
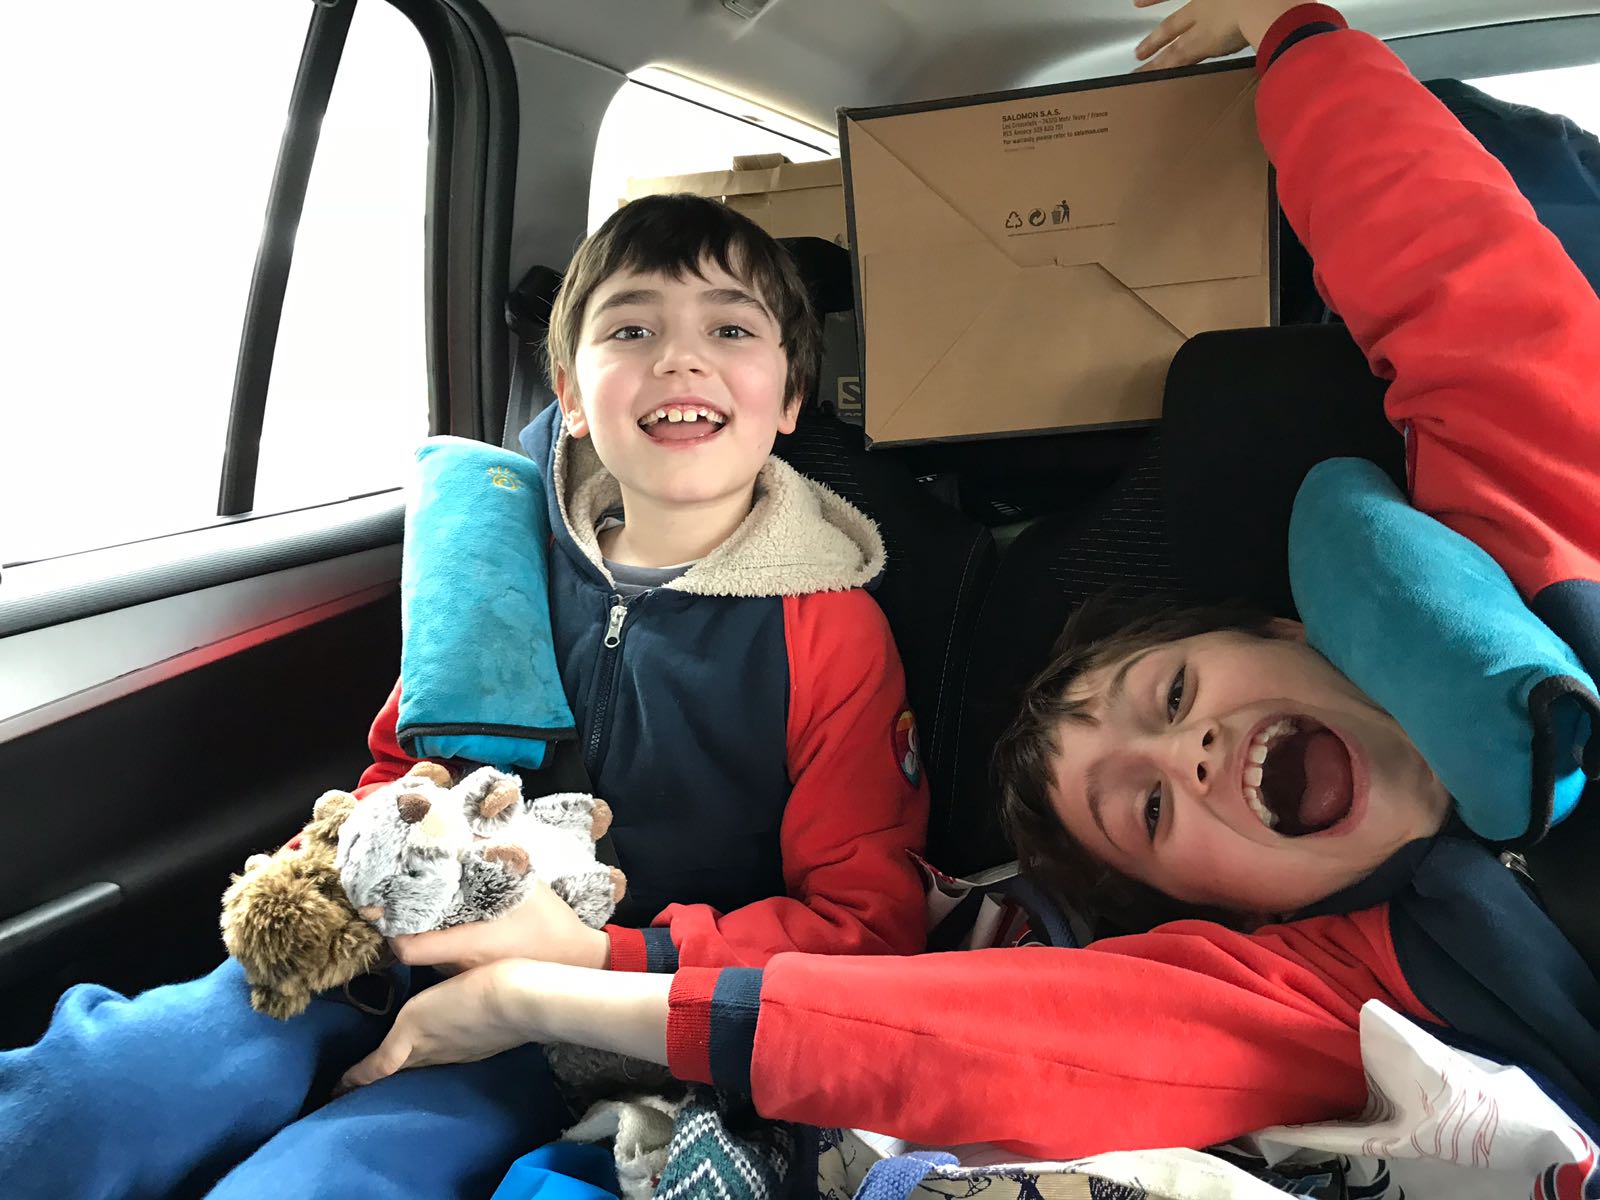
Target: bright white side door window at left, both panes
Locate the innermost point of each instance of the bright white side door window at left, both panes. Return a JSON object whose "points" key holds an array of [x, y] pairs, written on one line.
{"points": [[130, 231]]}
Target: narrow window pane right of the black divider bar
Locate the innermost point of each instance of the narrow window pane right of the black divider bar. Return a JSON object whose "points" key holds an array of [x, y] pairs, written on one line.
{"points": [[348, 401]]}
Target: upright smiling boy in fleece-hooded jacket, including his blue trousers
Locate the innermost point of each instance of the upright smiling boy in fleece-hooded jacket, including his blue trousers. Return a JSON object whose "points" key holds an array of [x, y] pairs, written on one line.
{"points": [[742, 708]]}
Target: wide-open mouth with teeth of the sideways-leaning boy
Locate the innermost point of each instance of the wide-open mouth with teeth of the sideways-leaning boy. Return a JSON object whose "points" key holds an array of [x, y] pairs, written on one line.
{"points": [[1298, 778]]}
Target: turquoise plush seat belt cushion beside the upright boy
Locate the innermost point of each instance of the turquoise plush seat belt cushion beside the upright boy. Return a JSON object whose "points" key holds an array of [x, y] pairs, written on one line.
{"points": [[478, 662]]}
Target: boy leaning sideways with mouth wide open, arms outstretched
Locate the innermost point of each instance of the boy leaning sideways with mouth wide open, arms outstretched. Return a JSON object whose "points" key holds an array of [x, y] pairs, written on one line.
{"points": [[1326, 866]]}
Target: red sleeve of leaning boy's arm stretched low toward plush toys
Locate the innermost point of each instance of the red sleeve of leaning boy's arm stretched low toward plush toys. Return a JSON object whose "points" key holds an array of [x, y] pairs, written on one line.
{"points": [[1186, 1036]]}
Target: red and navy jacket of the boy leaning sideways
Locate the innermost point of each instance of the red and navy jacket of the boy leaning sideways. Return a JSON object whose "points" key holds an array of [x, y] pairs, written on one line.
{"points": [[1194, 1034]]}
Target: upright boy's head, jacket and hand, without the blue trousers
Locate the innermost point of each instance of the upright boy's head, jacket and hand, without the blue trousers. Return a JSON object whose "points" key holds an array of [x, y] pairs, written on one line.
{"points": [[737, 690]]}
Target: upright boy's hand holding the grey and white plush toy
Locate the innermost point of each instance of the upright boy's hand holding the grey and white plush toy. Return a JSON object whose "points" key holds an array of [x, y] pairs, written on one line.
{"points": [[543, 927]]}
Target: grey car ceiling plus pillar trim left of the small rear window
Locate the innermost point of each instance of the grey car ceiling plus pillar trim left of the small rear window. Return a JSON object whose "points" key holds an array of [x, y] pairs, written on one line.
{"points": [[807, 58]]}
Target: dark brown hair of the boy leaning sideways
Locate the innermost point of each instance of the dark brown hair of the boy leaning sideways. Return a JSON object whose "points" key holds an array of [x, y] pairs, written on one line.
{"points": [[1106, 630]]}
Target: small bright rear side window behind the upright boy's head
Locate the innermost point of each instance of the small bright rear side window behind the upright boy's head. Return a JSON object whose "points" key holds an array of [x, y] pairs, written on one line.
{"points": [[663, 124]]}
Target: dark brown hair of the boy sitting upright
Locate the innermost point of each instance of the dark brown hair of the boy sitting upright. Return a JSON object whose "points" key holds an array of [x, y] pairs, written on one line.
{"points": [[674, 236]]}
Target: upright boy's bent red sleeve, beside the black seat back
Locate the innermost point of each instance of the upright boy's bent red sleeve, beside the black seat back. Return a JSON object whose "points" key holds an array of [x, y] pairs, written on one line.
{"points": [[858, 809]]}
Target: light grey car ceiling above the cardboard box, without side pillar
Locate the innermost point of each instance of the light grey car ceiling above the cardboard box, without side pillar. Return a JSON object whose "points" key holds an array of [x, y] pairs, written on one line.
{"points": [[810, 57]]}
